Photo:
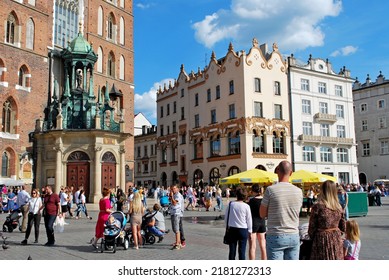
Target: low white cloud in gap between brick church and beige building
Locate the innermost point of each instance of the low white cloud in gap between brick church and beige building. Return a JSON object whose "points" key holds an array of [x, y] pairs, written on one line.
{"points": [[146, 104]]}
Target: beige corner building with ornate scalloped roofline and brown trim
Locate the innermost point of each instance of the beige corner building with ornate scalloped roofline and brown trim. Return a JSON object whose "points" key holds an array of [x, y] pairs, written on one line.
{"points": [[229, 117]]}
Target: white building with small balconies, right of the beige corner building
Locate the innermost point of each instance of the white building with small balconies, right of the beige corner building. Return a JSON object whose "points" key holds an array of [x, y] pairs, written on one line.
{"points": [[323, 135]]}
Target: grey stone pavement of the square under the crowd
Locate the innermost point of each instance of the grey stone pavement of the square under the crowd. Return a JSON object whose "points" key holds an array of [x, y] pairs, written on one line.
{"points": [[203, 232]]}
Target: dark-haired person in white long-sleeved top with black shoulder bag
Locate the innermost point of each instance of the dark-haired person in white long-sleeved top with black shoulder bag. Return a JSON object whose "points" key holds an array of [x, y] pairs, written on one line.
{"points": [[240, 224]]}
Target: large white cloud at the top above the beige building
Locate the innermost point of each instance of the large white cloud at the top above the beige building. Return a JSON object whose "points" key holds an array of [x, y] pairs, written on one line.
{"points": [[292, 24]]}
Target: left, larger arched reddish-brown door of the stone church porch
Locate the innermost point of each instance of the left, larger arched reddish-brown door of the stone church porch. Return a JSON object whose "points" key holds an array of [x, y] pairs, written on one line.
{"points": [[78, 172]]}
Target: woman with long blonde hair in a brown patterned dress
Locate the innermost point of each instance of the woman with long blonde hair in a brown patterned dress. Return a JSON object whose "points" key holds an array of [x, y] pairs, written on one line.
{"points": [[326, 225]]}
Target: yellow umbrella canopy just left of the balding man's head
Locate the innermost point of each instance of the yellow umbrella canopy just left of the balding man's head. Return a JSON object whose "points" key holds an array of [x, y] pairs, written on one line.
{"points": [[251, 176]]}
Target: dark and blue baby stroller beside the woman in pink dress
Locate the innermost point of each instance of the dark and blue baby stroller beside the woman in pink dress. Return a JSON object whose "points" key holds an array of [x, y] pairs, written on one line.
{"points": [[113, 236]]}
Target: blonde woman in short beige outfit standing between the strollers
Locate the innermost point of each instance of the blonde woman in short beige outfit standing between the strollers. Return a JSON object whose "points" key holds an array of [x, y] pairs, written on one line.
{"points": [[136, 211]]}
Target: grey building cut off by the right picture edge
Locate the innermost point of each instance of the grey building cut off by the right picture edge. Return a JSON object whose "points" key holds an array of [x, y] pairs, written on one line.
{"points": [[371, 101]]}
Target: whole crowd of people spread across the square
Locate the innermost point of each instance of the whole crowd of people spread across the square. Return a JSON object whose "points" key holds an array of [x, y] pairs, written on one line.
{"points": [[269, 217]]}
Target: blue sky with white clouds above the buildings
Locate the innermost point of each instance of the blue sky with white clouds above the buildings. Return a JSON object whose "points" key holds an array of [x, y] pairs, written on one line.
{"points": [[168, 33]]}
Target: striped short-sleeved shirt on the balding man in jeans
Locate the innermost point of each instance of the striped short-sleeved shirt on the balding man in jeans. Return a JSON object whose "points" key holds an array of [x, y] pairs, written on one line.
{"points": [[284, 202]]}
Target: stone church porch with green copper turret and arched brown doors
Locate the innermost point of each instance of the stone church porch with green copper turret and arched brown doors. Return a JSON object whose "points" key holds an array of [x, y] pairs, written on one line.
{"points": [[81, 140]]}
